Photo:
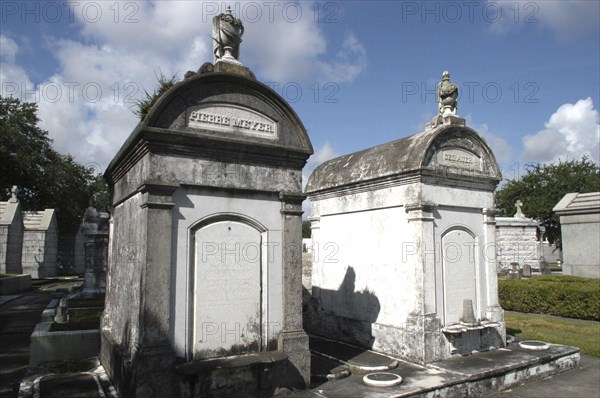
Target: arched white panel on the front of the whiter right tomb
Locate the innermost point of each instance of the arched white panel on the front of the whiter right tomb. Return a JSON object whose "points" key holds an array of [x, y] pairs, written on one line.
{"points": [[459, 264]]}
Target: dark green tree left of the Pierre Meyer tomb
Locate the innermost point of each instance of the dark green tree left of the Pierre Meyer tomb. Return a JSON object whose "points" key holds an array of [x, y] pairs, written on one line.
{"points": [[46, 178]]}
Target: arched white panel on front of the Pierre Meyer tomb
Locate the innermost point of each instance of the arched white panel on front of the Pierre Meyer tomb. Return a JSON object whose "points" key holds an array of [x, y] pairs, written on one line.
{"points": [[227, 288]]}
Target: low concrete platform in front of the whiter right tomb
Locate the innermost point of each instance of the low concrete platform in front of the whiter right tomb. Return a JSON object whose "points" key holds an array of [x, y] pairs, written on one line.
{"points": [[474, 375]]}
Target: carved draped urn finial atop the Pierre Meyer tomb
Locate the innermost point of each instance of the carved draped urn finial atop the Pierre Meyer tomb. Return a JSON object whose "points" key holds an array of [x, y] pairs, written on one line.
{"points": [[227, 36]]}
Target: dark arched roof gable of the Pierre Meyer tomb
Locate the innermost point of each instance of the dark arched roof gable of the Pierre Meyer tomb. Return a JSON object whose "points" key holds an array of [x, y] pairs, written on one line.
{"points": [[221, 113]]}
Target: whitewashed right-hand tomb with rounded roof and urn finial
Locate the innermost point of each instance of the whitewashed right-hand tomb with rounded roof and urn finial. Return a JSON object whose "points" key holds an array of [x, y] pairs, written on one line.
{"points": [[404, 243]]}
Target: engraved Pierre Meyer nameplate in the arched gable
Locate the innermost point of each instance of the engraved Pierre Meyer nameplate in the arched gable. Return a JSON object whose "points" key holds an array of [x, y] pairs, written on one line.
{"points": [[230, 118]]}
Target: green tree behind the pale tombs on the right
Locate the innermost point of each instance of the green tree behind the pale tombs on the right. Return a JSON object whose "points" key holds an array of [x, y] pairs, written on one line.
{"points": [[543, 187]]}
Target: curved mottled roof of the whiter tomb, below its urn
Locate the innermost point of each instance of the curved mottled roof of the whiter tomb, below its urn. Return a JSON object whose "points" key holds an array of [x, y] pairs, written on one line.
{"points": [[452, 151]]}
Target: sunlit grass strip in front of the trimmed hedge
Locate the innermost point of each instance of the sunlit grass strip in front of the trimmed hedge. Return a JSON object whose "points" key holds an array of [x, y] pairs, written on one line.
{"points": [[571, 332]]}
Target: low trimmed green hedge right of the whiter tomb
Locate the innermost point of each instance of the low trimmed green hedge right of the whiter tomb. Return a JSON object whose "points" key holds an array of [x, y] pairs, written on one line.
{"points": [[560, 295]]}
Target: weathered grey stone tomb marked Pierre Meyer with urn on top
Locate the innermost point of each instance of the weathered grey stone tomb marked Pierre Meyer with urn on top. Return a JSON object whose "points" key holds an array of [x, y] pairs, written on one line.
{"points": [[204, 281]]}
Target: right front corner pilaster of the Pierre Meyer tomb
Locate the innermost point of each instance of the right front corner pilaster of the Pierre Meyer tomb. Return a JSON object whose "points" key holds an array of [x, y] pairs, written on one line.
{"points": [[293, 340]]}
